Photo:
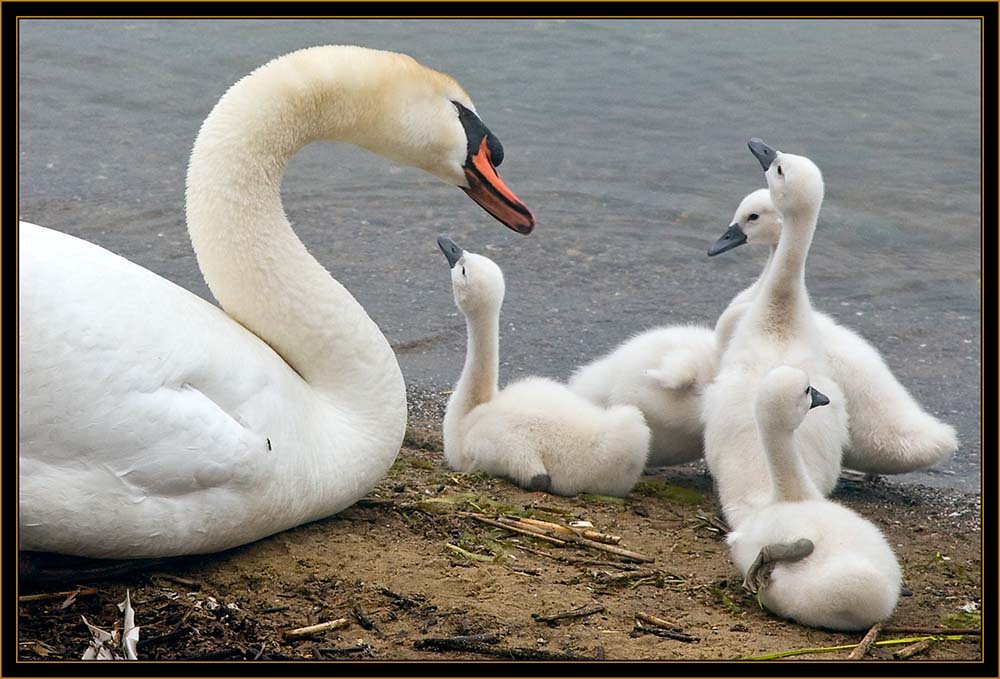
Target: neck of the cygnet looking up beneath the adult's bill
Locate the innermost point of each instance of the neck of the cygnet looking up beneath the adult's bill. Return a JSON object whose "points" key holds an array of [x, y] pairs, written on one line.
{"points": [[478, 382]]}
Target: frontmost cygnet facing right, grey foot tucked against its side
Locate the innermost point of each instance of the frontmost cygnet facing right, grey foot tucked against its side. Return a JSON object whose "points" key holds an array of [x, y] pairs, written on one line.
{"points": [[809, 559]]}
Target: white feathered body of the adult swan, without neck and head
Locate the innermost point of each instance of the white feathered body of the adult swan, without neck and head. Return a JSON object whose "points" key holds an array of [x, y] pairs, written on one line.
{"points": [[153, 424]]}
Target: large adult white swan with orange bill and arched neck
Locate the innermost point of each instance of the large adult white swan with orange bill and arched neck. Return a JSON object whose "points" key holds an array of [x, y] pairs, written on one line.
{"points": [[152, 423]]}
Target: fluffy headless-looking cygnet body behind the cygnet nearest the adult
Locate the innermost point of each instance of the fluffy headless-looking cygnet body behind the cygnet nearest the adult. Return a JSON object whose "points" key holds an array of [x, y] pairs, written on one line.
{"points": [[662, 372]]}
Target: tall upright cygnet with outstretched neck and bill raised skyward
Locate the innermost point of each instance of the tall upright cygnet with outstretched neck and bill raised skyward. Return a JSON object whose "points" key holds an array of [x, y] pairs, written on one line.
{"points": [[776, 329]]}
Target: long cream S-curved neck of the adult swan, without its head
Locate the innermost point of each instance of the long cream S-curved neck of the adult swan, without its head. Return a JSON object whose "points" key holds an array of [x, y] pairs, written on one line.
{"points": [[253, 262]]}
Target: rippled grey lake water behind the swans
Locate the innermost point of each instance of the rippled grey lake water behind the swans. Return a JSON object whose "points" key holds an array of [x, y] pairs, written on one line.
{"points": [[627, 138]]}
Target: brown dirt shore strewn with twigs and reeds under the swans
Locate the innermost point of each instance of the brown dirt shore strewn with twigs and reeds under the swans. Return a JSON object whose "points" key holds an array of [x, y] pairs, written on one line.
{"points": [[408, 566]]}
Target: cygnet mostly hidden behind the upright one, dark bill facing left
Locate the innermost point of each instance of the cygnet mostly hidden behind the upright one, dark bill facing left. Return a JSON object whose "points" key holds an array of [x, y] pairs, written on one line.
{"points": [[889, 432]]}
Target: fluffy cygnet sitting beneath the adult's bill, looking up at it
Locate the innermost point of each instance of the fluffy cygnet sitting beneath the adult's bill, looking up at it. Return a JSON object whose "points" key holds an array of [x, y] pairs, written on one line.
{"points": [[535, 432]]}
